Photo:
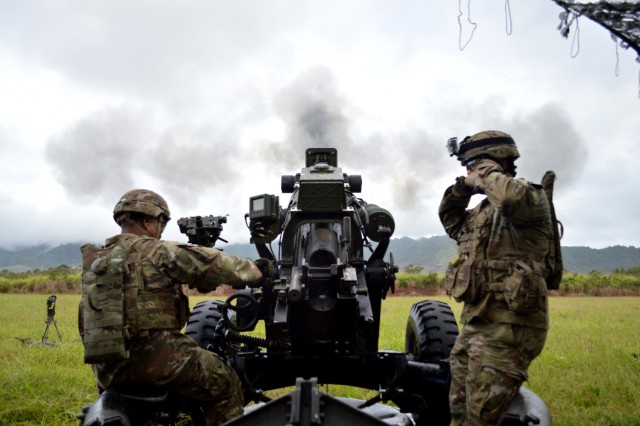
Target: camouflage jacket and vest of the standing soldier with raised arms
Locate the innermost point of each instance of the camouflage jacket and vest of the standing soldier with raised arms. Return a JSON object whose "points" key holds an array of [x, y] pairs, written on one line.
{"points": [[501, 247]]}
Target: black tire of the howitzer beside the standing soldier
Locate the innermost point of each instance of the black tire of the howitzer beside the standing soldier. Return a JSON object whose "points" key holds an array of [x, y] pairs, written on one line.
{"points": [[431, 331]]}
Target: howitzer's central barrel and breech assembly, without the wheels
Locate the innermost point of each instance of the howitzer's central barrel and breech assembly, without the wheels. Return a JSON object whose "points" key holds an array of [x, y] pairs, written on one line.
{"points": [[321, 294]]}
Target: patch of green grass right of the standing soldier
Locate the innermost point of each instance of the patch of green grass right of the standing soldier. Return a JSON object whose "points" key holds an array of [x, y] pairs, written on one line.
{"points": [[589, 372]]}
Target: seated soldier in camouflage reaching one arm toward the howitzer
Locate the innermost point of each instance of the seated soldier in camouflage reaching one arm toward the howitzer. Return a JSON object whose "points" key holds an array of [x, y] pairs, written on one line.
{"points": [[133, 309]]}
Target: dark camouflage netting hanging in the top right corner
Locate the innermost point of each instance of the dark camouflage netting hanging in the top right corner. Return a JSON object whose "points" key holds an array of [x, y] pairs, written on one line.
{"points": [[622, 19]]}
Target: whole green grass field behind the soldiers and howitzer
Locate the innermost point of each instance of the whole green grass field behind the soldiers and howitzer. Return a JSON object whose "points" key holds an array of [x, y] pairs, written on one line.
{"points": [[588, 374]]}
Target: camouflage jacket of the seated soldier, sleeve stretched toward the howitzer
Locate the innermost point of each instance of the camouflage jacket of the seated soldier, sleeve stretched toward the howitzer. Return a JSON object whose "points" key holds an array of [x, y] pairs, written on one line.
{"points": [[153, 296]]}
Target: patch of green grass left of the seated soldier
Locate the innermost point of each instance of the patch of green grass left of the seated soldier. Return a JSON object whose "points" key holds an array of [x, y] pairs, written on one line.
{"points": [[41, 385]]}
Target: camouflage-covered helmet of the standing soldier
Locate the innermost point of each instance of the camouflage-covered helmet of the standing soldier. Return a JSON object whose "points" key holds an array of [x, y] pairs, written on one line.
{"points": [[490, 143]]}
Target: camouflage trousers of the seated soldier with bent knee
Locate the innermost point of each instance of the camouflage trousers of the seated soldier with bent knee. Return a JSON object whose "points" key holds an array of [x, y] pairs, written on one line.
{"points": [[172, 360]]}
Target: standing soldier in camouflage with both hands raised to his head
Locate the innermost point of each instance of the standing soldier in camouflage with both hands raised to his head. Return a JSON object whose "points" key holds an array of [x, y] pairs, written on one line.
{"points": [[498, 275]]}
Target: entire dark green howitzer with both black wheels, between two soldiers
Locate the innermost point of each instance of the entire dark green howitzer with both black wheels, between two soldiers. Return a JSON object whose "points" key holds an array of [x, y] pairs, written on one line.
{"points": [[321, 307]]}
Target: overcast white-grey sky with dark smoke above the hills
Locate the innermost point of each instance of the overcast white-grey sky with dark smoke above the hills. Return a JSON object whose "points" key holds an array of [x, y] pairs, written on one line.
{"points": [[210, 102]]}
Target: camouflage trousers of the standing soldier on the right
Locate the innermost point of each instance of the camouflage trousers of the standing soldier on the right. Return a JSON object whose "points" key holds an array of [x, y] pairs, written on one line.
{"points": [[489, 362]]}
